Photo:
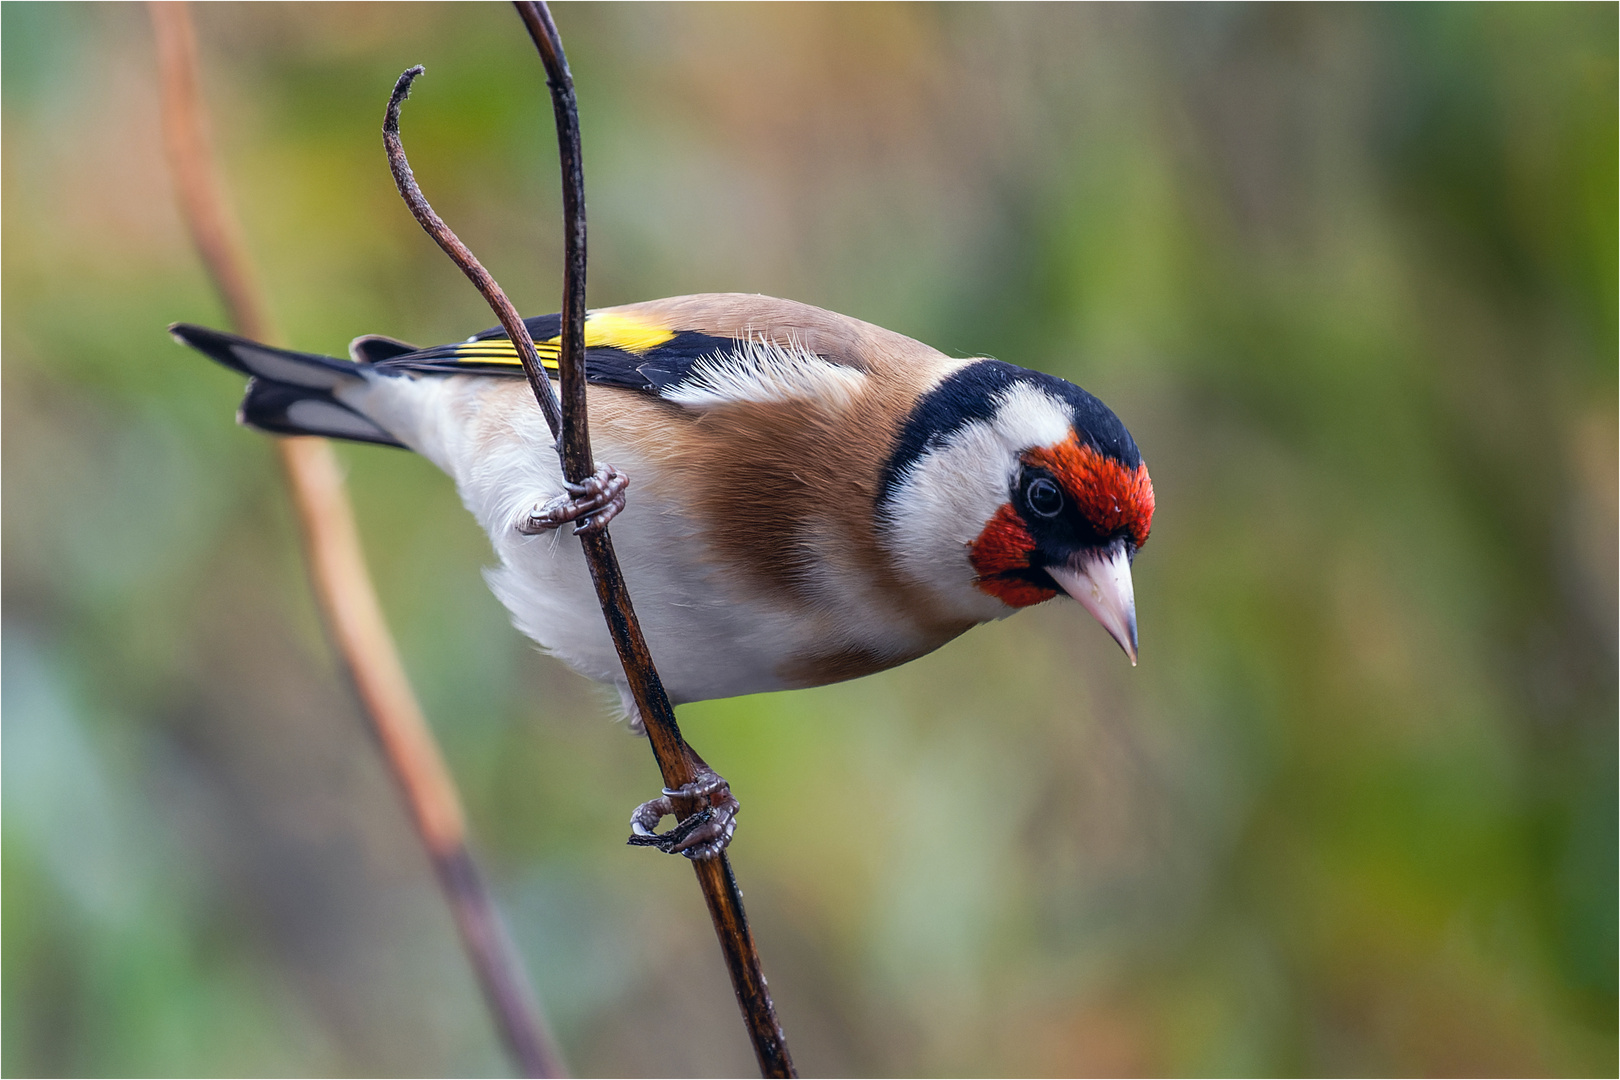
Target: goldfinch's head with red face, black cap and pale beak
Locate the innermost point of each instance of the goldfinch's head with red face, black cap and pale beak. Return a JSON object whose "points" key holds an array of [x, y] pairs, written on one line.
{"points": [[1008, 487]]}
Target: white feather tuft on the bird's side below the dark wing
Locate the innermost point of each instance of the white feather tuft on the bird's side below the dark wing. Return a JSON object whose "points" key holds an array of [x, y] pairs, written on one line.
{"points": [[769, 375]]}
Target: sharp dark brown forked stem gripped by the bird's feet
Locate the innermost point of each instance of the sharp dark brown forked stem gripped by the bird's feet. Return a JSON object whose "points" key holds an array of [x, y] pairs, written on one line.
{"points": [[676, 762]]}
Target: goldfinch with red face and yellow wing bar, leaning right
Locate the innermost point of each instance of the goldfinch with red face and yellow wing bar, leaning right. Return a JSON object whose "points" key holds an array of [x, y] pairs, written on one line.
{"points": [[798, 498]]}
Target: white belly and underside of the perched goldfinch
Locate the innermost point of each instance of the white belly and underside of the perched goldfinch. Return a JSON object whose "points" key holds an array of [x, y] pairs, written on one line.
{"points": [[709, 636]]}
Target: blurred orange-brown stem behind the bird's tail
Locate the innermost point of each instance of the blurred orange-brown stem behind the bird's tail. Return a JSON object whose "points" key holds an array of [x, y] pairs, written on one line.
{"points": [[341, 580]]}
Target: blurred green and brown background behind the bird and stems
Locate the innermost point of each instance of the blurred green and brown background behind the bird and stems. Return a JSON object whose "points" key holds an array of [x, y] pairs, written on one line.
{"points": [[1349, 274]]}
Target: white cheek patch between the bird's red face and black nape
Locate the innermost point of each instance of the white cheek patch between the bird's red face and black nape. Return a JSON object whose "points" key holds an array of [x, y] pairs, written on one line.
{"points": [[945, 500]]}
